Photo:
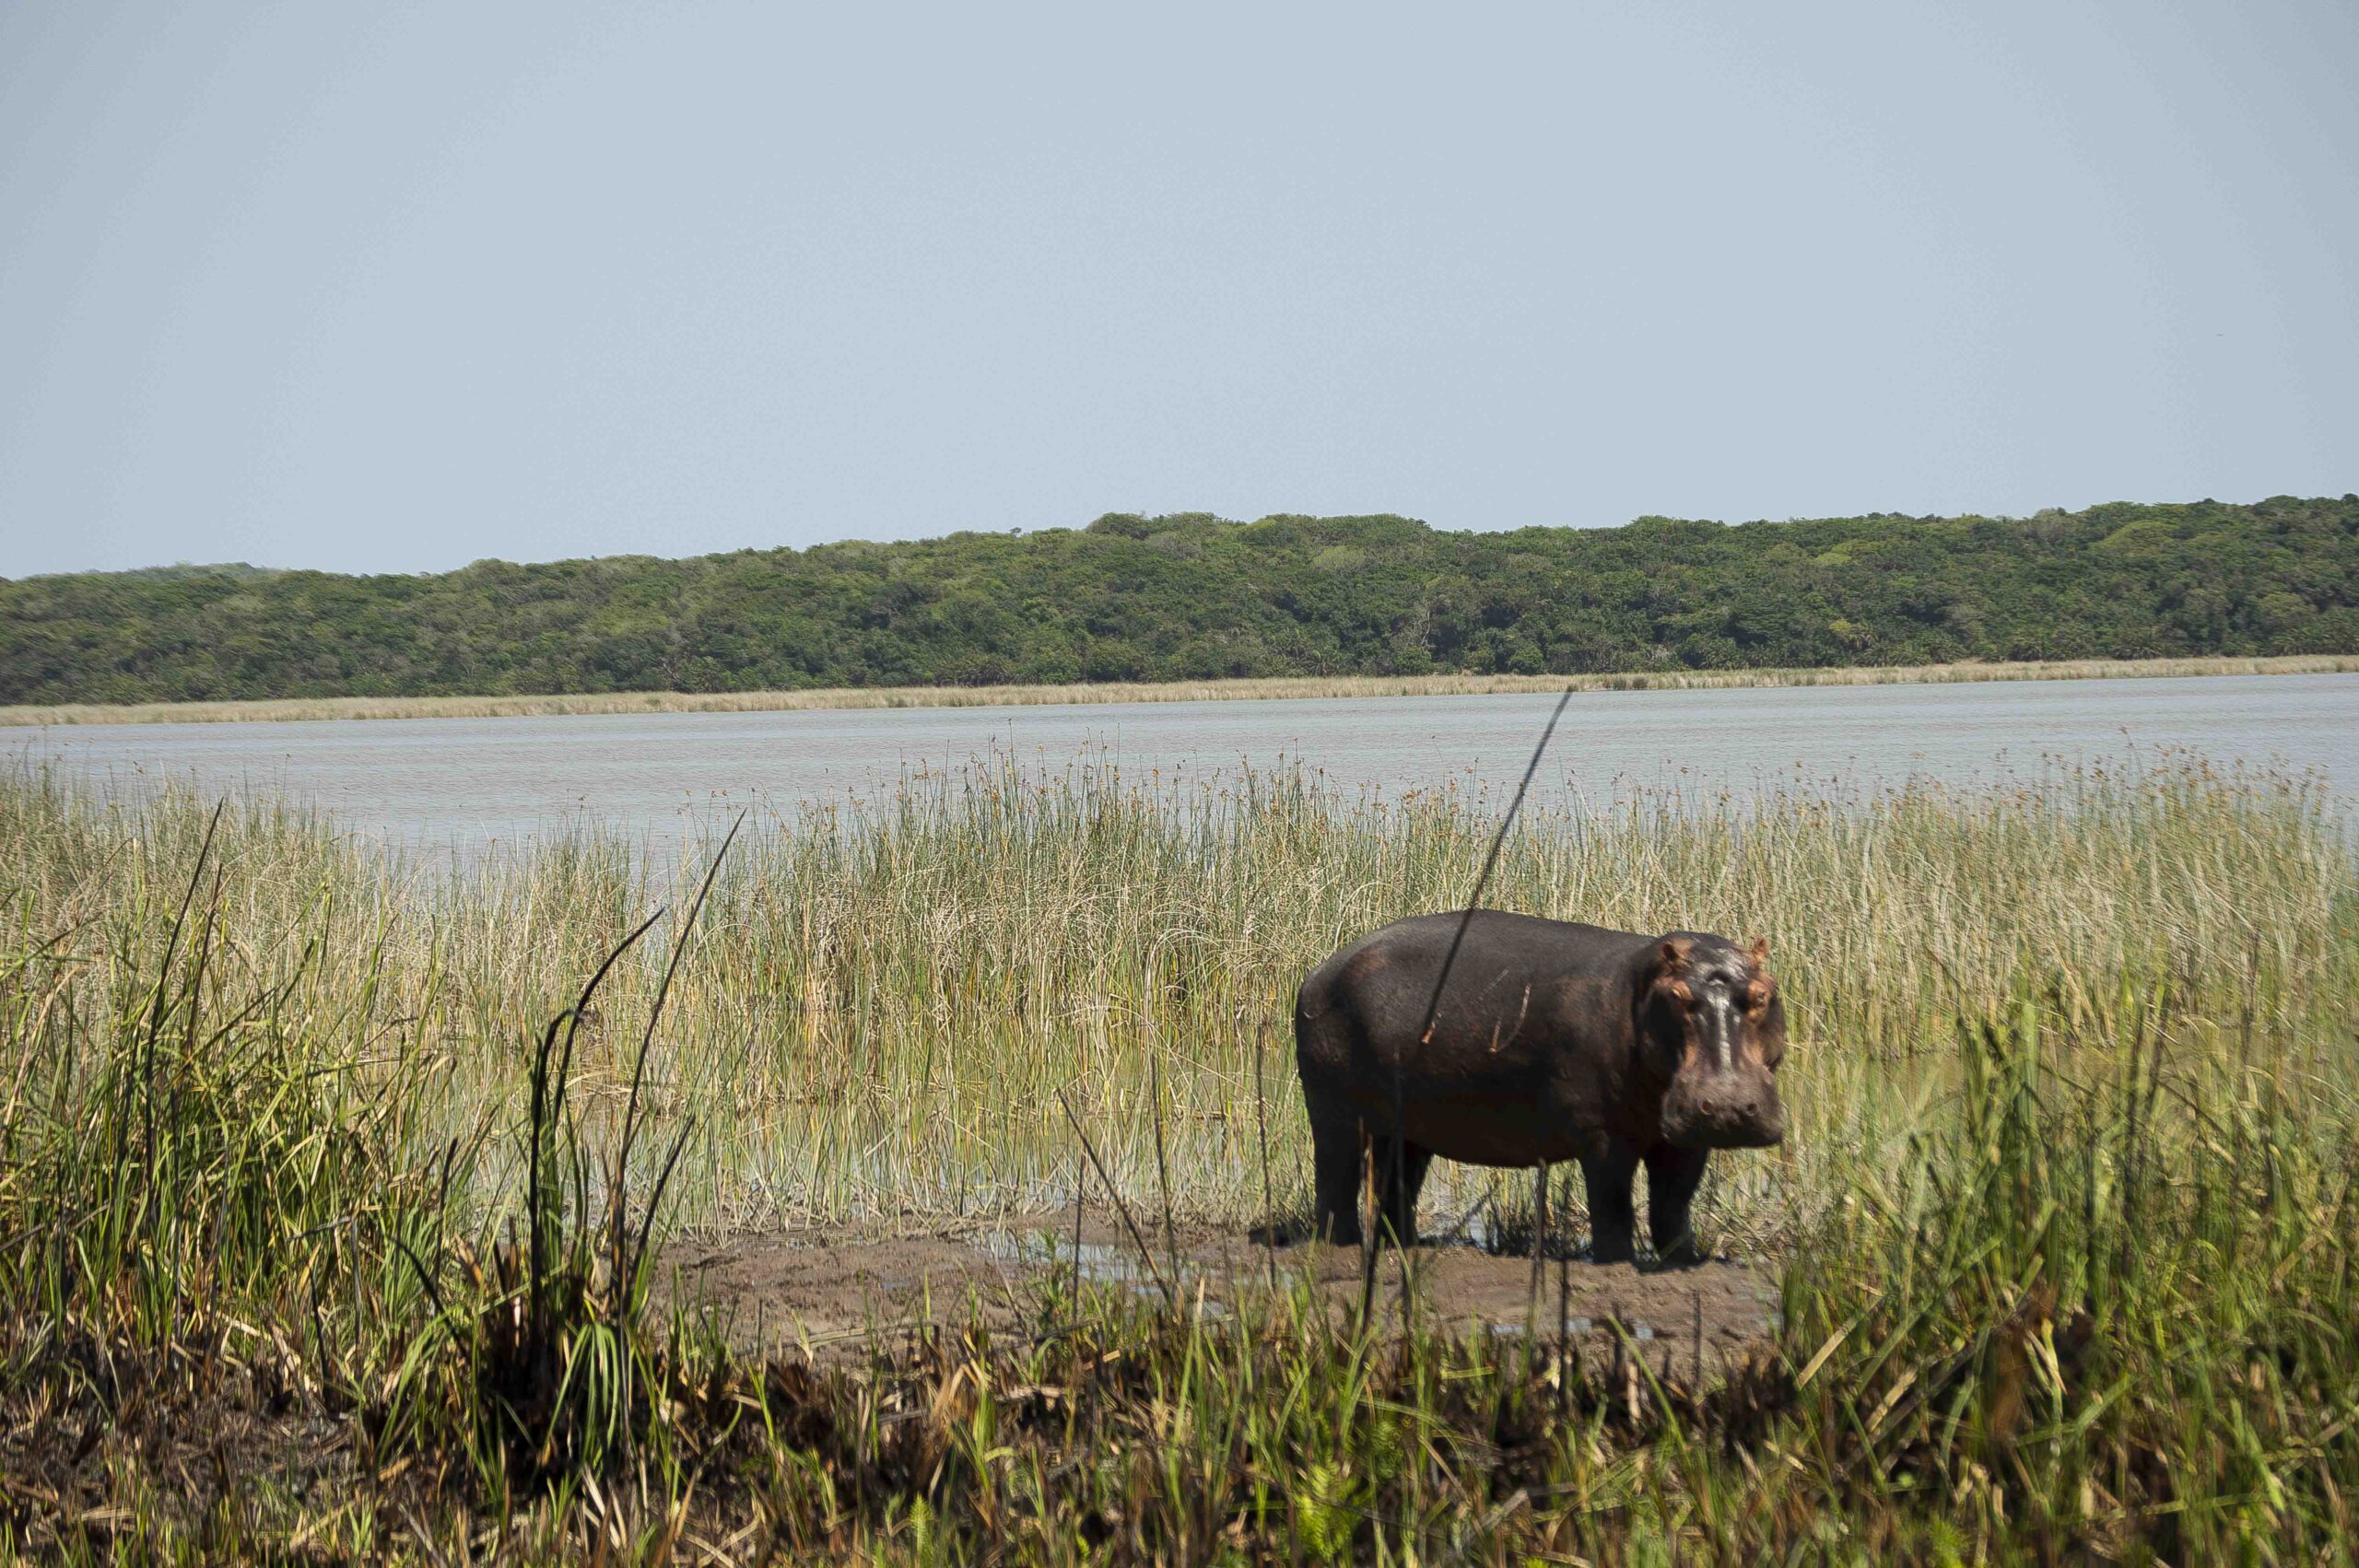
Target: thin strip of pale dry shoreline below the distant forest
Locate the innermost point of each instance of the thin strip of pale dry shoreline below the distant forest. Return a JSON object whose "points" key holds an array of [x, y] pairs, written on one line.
{"points": [[1261, 690]]}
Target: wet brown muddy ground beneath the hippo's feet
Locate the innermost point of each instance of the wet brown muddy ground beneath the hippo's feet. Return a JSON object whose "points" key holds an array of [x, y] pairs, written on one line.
{"points": [[834, 1291]]}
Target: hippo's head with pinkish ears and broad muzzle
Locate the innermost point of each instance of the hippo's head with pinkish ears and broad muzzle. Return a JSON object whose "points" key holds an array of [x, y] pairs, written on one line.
{"points": [[1714, 1025]]}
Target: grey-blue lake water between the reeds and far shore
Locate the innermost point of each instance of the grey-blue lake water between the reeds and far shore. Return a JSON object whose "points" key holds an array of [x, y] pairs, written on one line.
{"points": [[459, 786]]}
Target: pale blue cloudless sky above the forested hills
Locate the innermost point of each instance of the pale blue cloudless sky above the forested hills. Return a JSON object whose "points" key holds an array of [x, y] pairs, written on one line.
{"points": [[395, 289]]}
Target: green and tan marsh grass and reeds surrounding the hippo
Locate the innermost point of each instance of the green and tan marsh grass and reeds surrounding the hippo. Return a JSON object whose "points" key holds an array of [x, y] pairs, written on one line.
{"points": [[2068, 1225]]}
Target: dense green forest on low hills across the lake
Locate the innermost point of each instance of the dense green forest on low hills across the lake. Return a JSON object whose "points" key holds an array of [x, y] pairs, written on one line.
{"points": [[1190, 598]]}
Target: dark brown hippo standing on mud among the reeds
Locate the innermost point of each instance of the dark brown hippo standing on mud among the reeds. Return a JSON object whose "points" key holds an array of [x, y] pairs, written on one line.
{"points": [[1553, 1043]]}
